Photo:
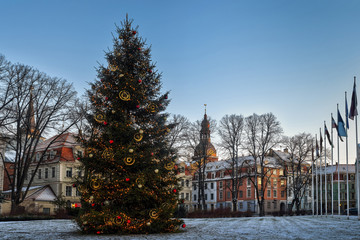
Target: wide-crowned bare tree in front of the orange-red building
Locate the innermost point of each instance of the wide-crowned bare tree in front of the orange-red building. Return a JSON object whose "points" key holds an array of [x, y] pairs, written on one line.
{"points": [[262, 133]]}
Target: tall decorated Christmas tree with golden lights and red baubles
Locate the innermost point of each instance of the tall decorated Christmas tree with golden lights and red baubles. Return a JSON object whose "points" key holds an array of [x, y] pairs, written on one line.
{"points": [[130, 183]]}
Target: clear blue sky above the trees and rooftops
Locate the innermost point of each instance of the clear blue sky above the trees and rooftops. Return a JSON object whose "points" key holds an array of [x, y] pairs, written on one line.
{"points": [[292, 58]]}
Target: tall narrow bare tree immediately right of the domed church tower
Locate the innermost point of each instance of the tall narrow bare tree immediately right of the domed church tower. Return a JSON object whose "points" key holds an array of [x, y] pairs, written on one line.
{"points": [[230, 132]]}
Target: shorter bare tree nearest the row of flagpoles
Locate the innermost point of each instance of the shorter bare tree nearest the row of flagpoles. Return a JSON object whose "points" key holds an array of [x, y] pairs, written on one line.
{"points": [[298, 166]]}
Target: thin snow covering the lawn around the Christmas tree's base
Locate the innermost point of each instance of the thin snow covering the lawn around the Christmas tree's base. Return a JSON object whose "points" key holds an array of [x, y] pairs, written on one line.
{"points": [[274, 228]]}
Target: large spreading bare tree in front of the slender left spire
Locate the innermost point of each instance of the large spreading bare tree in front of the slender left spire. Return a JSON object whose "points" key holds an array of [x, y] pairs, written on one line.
{"points": [[40, 105]]}
